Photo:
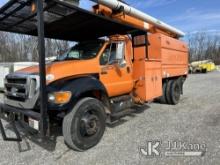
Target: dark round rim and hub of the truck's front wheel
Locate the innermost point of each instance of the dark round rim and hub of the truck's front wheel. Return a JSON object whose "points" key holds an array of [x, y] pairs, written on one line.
{"points": [[89, 124]]}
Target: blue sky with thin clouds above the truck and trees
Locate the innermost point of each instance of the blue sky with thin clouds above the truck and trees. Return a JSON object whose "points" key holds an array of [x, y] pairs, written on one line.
{"points": [[188, 15]]}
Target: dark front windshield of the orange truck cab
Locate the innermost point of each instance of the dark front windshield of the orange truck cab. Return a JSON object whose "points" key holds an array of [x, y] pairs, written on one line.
{"points": [[82, 51]]}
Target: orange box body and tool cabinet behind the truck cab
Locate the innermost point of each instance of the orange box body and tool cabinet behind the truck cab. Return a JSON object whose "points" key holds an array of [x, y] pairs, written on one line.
{"points": [[166, 58]]}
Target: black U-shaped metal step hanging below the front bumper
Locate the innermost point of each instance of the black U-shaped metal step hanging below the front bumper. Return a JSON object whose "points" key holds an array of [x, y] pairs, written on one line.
{"points": [[5, 138]]}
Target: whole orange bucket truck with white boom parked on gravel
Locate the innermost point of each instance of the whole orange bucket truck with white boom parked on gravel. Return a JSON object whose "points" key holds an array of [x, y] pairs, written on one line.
{"points": [[100, 77]]}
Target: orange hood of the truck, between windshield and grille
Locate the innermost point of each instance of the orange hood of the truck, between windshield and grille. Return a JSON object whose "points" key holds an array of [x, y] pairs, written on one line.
{"points": [[63, 69]]}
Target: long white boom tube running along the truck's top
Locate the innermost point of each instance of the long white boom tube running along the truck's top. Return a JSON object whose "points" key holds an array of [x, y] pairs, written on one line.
{"points": [[115, 4]]}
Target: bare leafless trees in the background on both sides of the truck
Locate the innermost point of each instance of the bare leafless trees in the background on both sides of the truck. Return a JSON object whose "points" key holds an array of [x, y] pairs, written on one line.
{"points": [[15, 47]]}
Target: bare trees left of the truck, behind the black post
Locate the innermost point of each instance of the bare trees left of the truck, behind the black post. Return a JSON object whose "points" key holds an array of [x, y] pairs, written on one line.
{"points": [[15, 47]]}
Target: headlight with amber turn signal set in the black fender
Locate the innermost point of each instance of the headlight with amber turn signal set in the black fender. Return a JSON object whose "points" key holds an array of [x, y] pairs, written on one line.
{"points": [[61, 97]]}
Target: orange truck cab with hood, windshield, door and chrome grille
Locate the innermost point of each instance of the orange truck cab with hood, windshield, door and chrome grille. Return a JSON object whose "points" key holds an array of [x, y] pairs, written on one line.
{"points": [[109, 62]]}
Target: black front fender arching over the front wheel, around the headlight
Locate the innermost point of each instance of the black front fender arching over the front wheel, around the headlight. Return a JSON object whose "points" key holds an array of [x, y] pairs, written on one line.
{"points": [[78, 87]]}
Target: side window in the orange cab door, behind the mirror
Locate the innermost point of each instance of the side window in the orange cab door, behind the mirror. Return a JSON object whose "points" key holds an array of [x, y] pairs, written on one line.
{"points": [[114, 53]]}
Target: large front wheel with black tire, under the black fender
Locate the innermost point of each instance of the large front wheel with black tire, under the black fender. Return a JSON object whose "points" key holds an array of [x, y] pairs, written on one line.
{"points": [[84, 126]]}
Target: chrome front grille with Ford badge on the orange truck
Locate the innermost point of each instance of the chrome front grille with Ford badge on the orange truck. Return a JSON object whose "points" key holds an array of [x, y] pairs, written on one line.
{"points": [[20, 88]]}
